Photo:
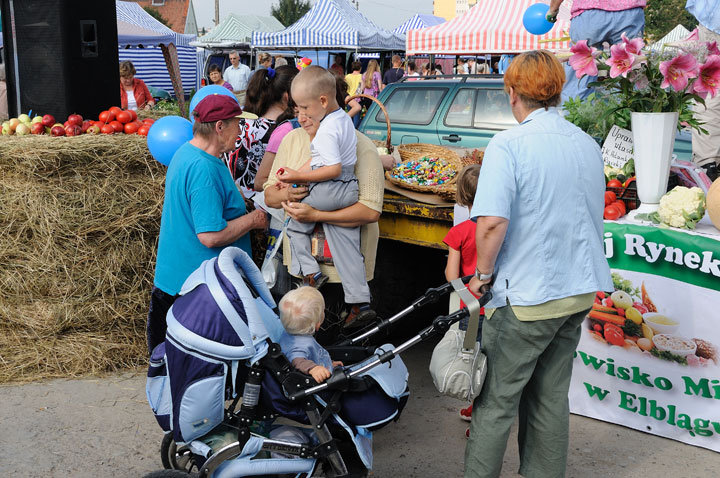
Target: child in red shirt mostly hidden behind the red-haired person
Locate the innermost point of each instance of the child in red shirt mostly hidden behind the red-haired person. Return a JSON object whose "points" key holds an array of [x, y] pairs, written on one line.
{"points": [[462, 251]]}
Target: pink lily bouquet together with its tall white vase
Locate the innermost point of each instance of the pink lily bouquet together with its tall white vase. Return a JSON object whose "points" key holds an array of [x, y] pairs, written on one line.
{"points": [[658, 90]]}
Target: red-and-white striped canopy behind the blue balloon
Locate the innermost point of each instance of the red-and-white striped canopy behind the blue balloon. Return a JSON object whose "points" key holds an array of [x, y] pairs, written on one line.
{"points": [[491, 26]]}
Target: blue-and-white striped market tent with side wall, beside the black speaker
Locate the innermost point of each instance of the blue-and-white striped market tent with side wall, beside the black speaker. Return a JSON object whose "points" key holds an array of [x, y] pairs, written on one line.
{"points": [[140, 37]]}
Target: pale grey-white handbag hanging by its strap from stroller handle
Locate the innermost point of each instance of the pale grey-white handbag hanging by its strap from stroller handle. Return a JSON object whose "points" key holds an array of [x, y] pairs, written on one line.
{"points": [[458, 366]]}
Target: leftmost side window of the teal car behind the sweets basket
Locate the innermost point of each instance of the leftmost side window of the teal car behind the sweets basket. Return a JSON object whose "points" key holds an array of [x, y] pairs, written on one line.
{"points": [[412, 105]]}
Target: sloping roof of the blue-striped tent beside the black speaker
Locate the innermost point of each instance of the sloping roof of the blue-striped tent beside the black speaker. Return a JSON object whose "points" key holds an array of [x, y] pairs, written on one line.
{"points": [[136, 27]]}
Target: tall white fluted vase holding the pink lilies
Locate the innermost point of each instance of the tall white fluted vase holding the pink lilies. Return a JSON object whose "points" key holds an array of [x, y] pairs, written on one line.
{"points": [[653, 142]]}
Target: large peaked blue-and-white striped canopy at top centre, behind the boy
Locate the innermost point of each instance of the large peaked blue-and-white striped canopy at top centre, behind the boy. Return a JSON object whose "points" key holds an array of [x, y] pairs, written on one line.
{"points": [[331, 24]]}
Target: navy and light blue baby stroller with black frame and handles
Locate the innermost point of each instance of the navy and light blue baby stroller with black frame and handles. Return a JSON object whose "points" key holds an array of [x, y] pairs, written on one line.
{"points": [[221, 346]]}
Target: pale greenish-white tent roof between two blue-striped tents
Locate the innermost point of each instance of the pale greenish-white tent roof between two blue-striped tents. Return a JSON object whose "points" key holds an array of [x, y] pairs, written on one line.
{"points": [[236, 30]]}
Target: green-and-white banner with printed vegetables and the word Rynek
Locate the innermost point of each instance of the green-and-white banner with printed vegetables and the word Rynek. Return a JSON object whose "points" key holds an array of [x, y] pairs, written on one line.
{"points": [[649, 351]]}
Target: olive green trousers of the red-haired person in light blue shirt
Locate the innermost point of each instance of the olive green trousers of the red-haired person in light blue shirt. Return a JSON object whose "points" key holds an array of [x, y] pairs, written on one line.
{"points": [[529, 368]]}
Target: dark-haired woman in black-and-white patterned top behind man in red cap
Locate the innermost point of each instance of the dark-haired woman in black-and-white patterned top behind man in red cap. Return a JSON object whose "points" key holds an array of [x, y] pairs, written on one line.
{"points": [[267, 97]]}
